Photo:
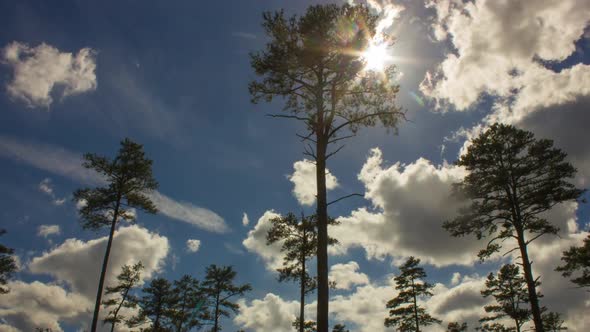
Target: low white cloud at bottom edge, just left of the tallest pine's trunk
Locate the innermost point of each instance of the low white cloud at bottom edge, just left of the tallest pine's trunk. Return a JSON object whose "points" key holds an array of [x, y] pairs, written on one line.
{"points": [[271, 313]]}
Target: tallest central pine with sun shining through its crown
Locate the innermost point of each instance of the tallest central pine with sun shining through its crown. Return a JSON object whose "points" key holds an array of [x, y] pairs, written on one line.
{"points": [[314, 63]]}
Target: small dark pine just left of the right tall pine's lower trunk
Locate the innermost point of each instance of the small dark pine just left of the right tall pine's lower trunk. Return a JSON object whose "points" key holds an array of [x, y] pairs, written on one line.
{"points": [[510, 291]]}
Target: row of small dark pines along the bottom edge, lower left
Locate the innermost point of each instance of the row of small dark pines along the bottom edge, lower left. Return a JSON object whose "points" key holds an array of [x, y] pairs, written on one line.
{"points": [[178, 306]]}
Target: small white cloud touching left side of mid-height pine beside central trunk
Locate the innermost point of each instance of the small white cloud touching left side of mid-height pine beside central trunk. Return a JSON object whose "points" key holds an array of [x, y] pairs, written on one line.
{"points": [[256, 242]]}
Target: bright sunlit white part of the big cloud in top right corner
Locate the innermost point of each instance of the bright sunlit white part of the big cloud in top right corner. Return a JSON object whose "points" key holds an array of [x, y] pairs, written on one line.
{"points": [[500, 47]]}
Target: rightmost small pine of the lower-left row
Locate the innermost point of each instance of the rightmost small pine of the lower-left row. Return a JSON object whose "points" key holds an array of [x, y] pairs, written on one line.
{"points": [[219, 287]]}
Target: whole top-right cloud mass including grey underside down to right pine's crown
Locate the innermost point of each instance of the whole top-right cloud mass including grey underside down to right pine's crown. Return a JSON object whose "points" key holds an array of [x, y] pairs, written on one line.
{"points": [[502, 50]]}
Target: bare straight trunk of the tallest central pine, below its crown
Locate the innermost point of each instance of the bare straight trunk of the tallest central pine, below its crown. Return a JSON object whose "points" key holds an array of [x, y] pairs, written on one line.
{"points": [[322, 249]]}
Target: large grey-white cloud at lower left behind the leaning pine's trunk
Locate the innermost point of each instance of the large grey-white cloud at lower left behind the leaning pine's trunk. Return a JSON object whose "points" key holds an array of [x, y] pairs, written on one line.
{"points": [[74, 266]]}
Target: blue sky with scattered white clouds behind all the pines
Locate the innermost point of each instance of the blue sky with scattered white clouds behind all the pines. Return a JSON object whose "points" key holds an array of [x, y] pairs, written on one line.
{"points": [[80, 76]]}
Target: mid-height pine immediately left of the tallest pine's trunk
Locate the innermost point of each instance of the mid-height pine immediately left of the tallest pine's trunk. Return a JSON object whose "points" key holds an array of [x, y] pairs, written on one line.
{"points": [[299, 243]]}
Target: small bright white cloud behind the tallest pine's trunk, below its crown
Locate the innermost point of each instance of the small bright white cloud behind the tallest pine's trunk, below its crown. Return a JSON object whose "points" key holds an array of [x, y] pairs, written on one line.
{"points": [[304, 180]]}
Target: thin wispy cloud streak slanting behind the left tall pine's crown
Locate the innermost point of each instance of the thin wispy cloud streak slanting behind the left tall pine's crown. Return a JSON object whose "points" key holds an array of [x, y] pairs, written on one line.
{"points": [[69, 164]]}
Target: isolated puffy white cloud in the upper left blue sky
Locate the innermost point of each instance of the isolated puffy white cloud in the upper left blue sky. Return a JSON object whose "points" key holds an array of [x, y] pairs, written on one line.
{"points": [[38, 70]]}
